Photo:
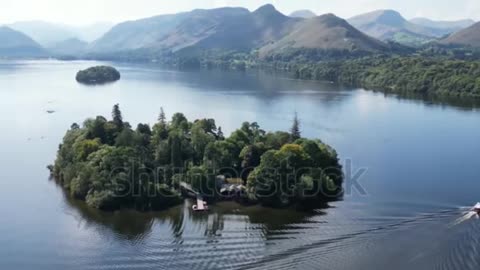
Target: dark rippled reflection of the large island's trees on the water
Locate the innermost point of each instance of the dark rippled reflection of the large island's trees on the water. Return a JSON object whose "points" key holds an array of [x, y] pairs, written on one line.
{"points": [[134, 225]]}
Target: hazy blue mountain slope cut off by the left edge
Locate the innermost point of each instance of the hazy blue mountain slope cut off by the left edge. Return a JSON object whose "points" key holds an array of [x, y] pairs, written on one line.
{"points": [[16, 44]]}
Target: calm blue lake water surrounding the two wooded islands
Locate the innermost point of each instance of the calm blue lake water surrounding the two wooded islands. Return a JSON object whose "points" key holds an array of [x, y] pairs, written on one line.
{"points": [[420, 157]]}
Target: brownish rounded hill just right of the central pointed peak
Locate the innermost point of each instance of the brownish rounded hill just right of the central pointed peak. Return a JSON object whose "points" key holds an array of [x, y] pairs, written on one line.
{"points": [[325, 32]]}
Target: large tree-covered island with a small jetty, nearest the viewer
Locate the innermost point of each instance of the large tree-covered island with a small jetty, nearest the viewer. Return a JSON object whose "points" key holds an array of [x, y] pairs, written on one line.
{"points": [[110, 165]]}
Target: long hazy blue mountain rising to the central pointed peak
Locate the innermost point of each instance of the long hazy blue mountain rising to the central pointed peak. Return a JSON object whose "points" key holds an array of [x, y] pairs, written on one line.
{"points": [[221, 28]]}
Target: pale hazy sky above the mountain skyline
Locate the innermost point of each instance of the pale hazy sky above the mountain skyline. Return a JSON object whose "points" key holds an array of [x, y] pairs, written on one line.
{"points": [[89, 11]]}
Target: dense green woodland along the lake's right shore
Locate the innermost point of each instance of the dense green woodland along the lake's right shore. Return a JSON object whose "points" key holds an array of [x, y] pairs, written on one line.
{"points": [[403, 75]]}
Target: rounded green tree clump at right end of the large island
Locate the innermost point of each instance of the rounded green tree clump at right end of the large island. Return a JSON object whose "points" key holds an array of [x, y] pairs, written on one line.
{"points": [[305, 172]]}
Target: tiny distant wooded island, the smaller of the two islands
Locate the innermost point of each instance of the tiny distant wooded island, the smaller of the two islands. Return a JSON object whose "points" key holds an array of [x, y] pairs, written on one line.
{"points": [[98, 75]]}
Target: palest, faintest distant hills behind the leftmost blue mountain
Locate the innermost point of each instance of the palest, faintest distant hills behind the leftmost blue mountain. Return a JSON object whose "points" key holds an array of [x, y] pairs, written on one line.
{"points": [[48, 34]]}
